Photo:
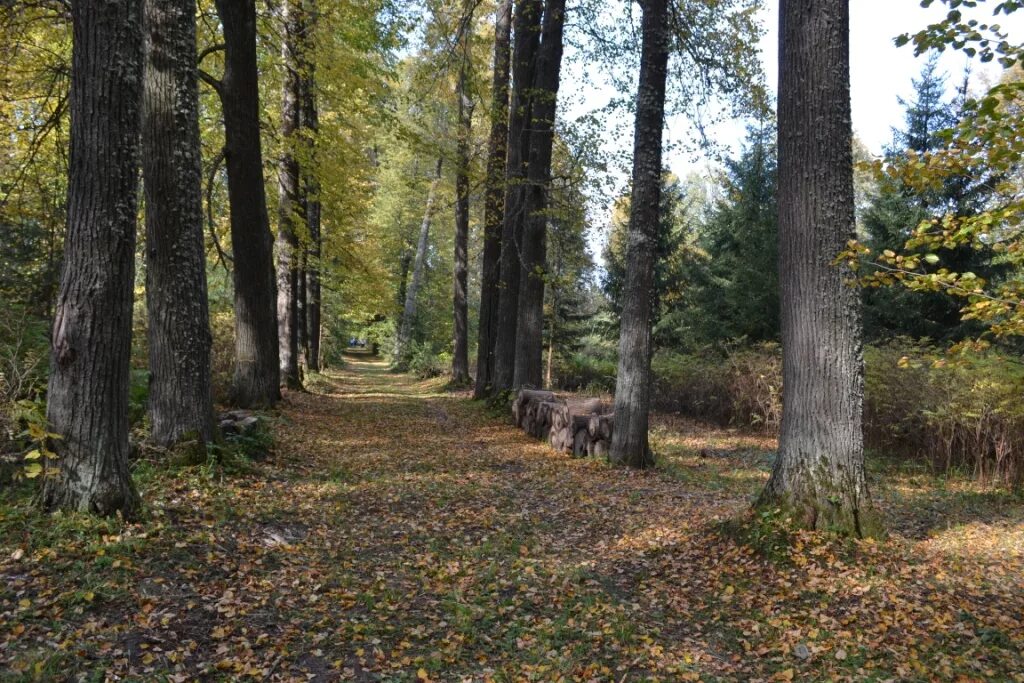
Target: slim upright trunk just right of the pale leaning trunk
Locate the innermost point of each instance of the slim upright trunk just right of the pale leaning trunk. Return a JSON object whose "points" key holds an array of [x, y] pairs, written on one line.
{"points": [[460, 355]]}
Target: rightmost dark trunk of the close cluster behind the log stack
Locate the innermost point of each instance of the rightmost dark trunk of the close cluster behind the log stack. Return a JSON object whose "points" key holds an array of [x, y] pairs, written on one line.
{"points": [[530, 324]]}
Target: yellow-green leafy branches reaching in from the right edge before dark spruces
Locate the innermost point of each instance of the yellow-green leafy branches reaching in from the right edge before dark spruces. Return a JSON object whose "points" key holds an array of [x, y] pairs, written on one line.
{"points": [[985, 144]]}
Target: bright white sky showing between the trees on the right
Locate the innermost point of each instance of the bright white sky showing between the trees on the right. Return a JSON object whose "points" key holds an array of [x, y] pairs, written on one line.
{"points": [[880, 75]]}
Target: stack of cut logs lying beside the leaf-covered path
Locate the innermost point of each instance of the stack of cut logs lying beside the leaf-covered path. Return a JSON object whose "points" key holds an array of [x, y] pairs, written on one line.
{"points": [[580, 428]]}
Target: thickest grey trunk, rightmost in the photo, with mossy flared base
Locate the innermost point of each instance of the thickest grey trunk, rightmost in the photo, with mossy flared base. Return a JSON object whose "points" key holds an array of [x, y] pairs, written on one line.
{"points": [[820, 472]]}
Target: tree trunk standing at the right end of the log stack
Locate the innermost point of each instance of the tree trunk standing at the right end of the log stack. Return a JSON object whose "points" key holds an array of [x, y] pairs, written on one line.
{"points": [[629, 444]]}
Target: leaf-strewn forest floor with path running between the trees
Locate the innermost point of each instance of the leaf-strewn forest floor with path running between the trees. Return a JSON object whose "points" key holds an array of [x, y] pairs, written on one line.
{"points": [[402, 533]]}
